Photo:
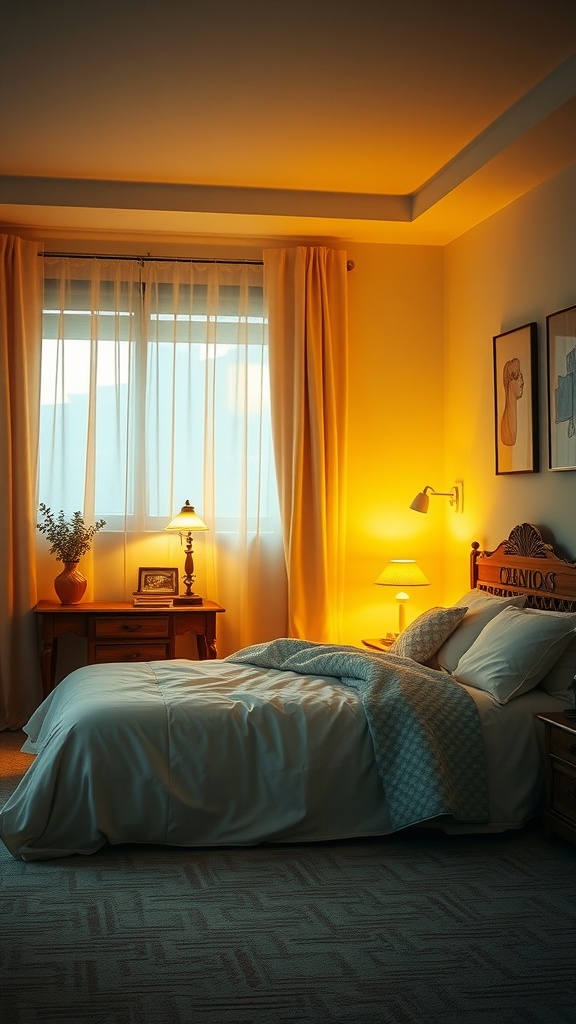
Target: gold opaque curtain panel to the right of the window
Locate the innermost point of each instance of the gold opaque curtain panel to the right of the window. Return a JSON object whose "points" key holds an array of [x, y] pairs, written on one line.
{"points": [[306, 296]]}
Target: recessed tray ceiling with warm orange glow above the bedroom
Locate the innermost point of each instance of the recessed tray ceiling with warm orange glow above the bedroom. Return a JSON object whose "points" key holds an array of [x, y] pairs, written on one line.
{"points": [[383, 121]]}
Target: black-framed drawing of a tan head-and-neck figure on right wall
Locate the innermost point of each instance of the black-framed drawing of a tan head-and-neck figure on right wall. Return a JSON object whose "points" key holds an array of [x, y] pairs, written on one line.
{"points": [[516, 400]]}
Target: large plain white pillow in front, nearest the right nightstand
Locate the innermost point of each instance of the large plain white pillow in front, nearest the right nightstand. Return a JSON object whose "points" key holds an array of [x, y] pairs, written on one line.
{"points": [[515, 652]]}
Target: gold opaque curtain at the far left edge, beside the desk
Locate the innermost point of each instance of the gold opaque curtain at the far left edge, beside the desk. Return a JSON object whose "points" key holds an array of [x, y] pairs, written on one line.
{"points": [[21, 312]]}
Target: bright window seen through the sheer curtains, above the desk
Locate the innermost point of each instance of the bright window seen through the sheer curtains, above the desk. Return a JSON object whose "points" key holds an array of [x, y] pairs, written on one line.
{"points": [[155, 389]]}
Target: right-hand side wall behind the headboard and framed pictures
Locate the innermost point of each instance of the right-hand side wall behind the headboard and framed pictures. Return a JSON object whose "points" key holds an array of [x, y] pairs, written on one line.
{"points": [[516, 268]]}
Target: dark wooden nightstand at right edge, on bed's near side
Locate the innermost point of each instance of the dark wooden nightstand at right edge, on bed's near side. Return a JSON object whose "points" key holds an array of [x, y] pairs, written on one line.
{"points": [[560, 812]]}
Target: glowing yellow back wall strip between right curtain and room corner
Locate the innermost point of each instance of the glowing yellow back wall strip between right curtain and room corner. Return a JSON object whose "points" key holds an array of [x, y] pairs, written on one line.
{"points": [[396, 430]]}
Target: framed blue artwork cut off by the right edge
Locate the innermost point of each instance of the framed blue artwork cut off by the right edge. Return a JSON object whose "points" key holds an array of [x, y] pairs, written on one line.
{"points": [[561, 338]]}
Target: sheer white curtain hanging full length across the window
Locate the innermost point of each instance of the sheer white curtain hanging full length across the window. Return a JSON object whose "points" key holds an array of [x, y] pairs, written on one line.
{"points": [[155, 391]]}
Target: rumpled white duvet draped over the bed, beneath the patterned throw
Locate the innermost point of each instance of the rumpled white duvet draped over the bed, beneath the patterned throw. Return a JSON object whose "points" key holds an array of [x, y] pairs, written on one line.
{"points": [[144, 754]]}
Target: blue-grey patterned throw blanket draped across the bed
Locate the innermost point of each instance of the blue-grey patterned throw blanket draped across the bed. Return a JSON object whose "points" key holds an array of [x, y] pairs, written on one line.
{"points": [[426, 729]]}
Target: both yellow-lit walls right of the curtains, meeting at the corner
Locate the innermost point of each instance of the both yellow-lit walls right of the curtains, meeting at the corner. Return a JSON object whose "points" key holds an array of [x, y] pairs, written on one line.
{"points": [[422, 399]]}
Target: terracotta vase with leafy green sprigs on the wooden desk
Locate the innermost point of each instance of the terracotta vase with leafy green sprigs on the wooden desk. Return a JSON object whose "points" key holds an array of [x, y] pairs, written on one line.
{"points": [[69, 540]]}
